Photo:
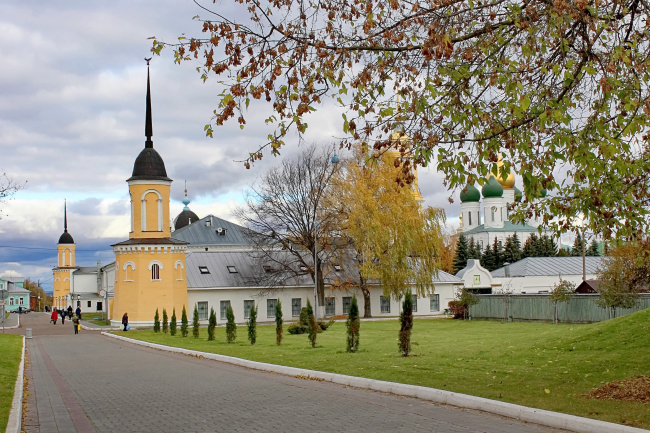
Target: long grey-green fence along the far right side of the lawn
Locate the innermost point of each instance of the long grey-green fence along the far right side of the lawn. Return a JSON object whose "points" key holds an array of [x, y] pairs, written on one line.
{"points": [[538, 307]]}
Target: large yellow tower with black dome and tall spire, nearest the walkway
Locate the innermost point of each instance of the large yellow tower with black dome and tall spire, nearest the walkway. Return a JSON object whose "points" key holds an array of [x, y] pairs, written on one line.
{"points": [[150, 266]]}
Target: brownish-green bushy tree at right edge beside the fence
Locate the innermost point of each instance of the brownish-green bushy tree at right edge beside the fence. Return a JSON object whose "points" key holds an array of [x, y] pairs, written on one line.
{"points": [[624, 274]]}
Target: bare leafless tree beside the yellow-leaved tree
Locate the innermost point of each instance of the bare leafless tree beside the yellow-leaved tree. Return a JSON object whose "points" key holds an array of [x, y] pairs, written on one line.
{"points": [[287, 219]]}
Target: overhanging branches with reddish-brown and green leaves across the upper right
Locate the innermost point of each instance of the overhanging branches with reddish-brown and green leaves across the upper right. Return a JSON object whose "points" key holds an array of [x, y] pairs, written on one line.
{"points": [[560, 88]]}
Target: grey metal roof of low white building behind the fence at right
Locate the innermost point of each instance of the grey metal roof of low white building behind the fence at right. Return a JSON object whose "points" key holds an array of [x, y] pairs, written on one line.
{"points": [[540, 266]]}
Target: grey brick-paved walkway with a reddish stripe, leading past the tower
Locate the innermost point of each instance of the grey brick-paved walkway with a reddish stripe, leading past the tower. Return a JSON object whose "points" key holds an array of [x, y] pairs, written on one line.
{"points": [[90, 383]]}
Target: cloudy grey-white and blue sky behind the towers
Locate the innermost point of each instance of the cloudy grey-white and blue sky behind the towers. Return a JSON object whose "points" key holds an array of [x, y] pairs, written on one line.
{"points": [[72, 108]]}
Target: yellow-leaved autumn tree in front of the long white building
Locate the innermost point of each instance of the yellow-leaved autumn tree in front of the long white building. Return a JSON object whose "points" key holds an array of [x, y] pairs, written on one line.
{"points": [[394, 241]]}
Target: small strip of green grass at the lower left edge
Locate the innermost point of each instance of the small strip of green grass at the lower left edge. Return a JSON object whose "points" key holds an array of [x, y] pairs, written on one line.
{"points": [[11, 347]]}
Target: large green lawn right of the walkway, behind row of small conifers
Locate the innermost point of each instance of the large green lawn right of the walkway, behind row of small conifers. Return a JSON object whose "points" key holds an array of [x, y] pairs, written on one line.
{"points": [[532, 364]]}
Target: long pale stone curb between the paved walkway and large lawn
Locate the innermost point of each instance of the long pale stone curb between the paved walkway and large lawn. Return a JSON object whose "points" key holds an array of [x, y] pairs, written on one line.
{"points": [[522, 413]]}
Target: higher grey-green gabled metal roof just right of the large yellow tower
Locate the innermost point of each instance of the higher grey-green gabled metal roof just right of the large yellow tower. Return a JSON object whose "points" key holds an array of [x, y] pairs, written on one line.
{"points": [[211, 230]]}
